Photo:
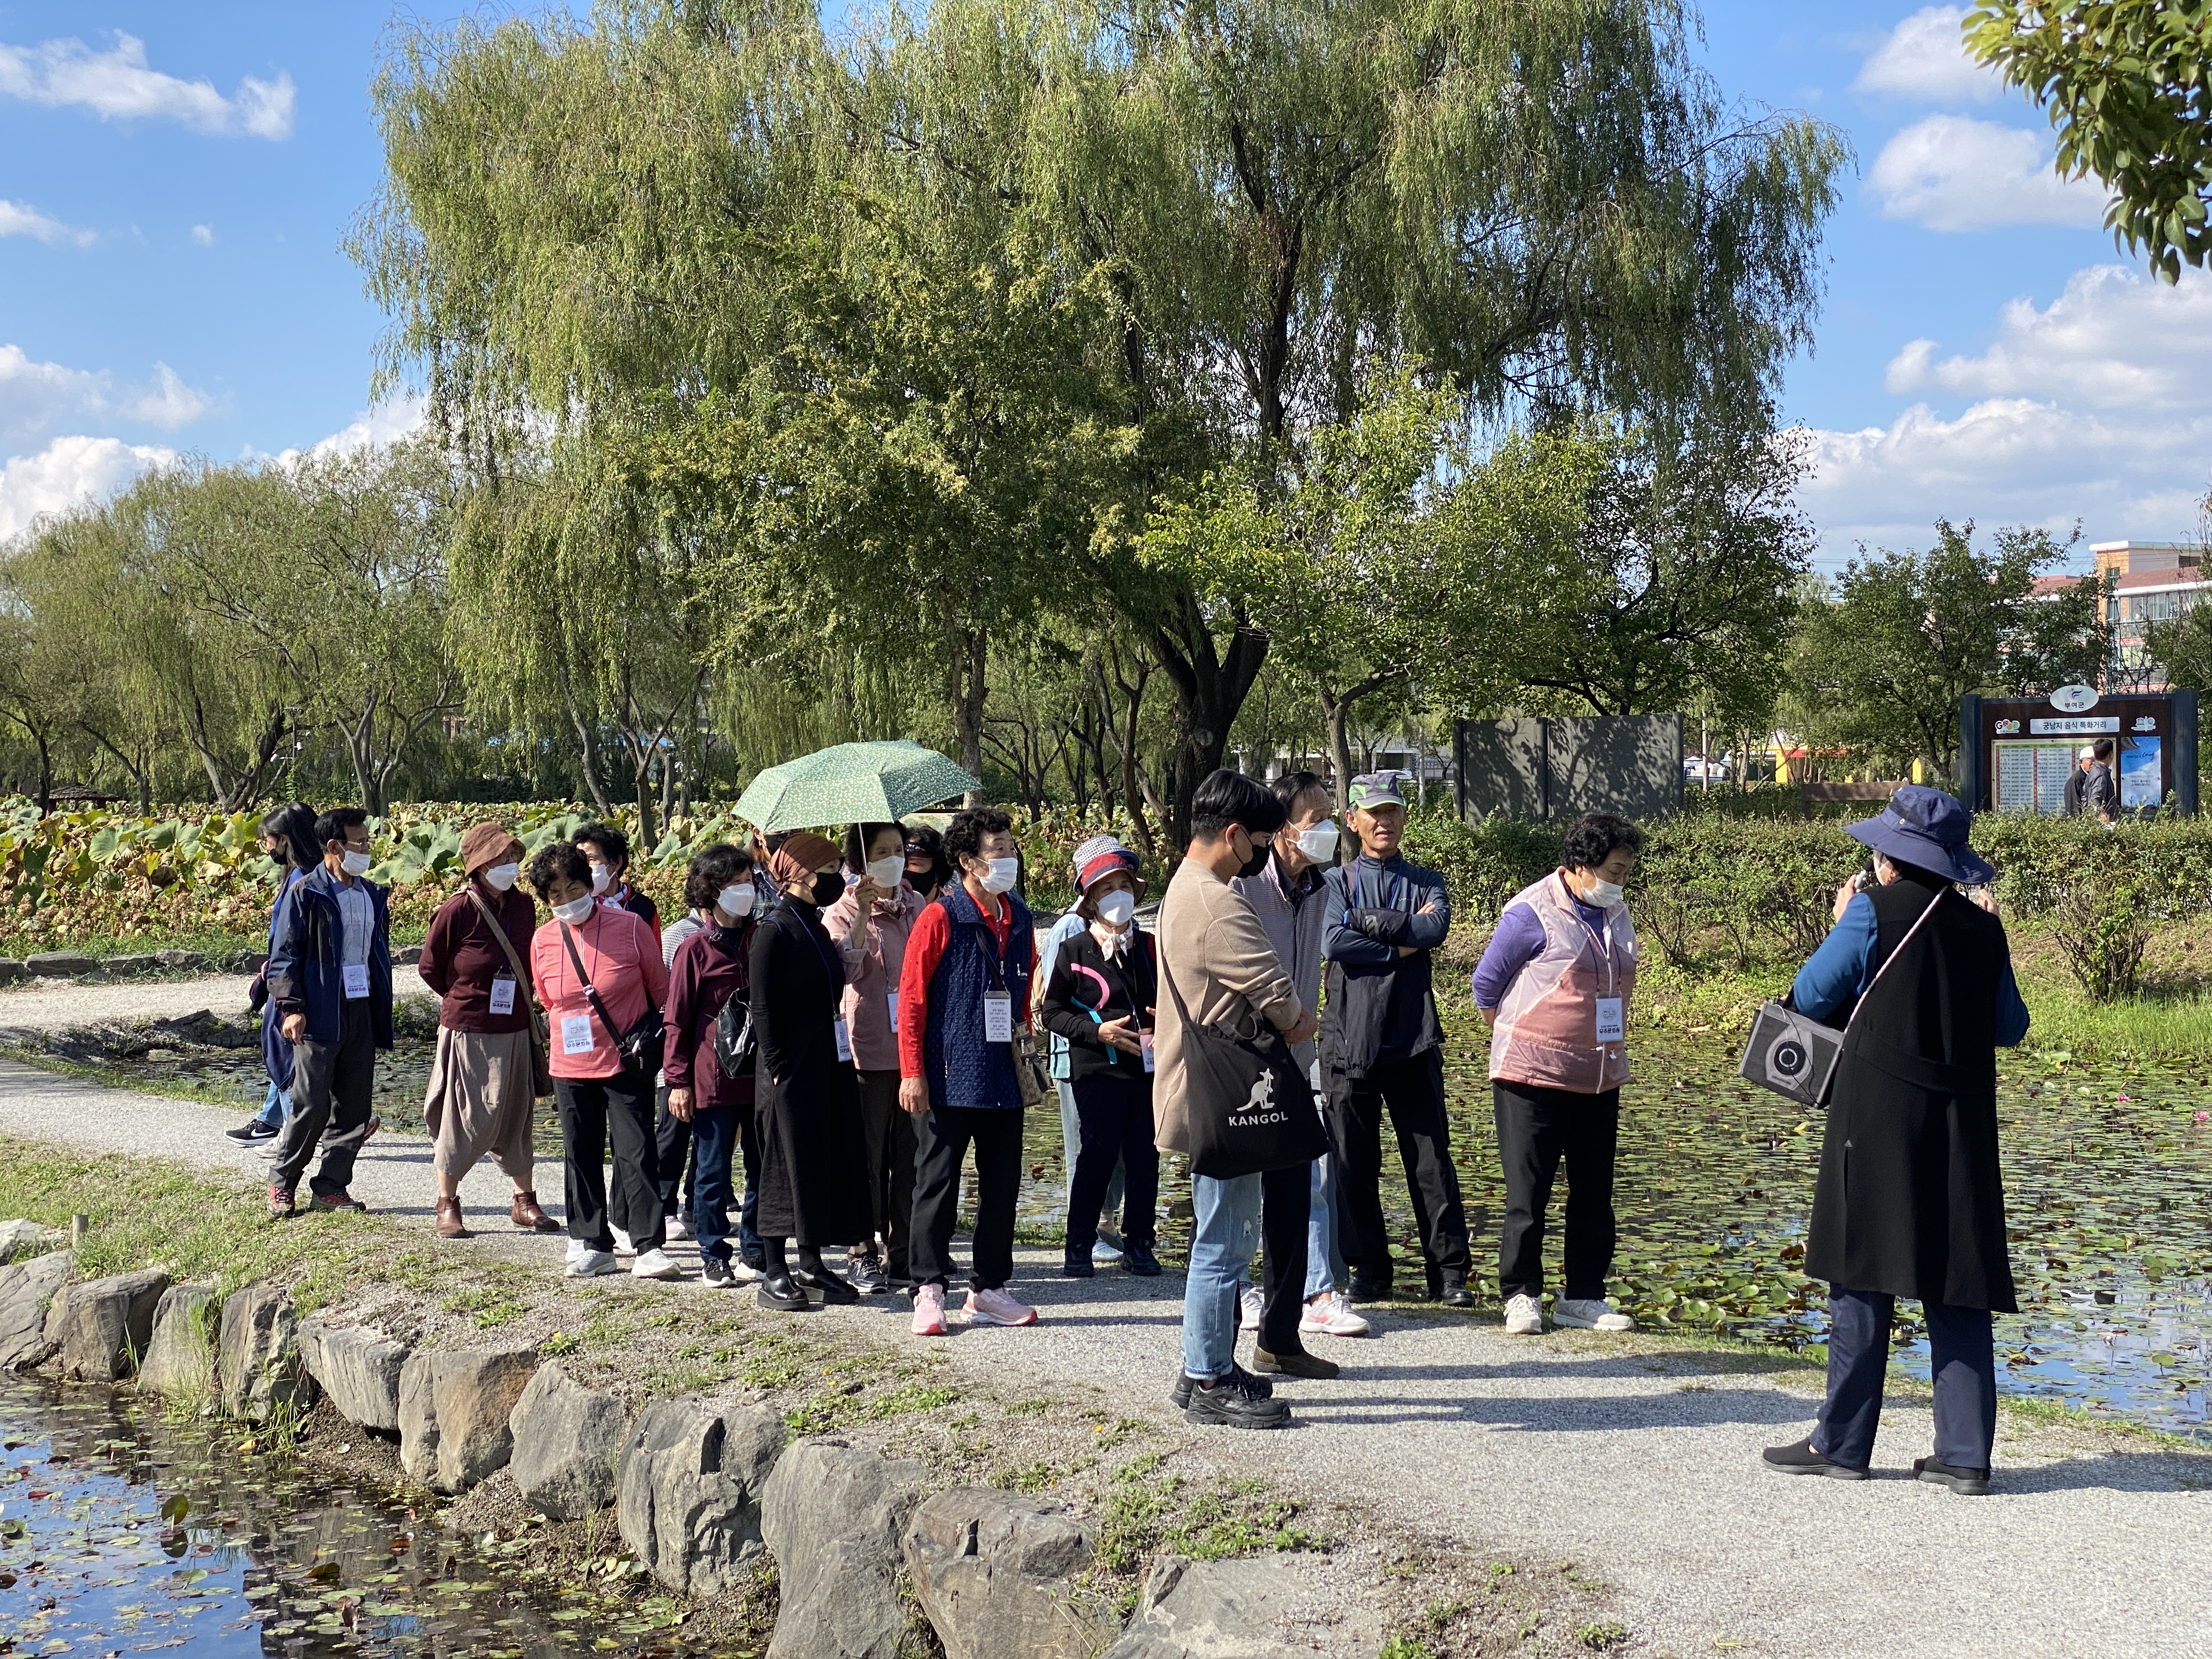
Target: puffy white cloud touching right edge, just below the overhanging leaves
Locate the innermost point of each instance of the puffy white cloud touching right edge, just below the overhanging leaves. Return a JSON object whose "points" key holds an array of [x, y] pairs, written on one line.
{"points": [[2111, 342]]}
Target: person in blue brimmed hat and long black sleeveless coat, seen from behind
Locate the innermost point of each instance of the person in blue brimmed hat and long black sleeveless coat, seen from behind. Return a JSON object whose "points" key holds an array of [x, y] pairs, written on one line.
{"points": [[1910, 1198]]}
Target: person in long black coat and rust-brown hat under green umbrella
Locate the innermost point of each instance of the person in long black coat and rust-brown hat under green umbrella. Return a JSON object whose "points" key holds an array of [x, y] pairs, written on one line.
{"points": [[806, 1098]]}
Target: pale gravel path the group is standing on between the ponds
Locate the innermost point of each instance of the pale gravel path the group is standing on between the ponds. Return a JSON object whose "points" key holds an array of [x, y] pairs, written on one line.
{"points": [[1634, 1459]]}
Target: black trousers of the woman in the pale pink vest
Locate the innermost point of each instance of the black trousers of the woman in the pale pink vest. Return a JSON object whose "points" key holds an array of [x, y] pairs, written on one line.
{"points": [[1536, 1131]]}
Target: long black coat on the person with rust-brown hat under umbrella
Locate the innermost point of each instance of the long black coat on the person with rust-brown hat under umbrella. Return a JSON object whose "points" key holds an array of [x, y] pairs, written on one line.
{"points": [[808, 1100]]}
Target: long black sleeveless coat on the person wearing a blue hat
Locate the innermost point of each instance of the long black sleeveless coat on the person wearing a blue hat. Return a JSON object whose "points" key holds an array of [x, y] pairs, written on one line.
{"points": [[1910, 1198]]}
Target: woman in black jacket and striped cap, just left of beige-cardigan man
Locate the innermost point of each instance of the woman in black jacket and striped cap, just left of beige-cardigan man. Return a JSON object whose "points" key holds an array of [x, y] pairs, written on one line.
{"points": [[1100, 1001]]}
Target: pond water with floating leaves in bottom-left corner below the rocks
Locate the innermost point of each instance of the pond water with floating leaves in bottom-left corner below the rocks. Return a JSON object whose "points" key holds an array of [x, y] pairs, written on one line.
{"points": [[125, 1534]]}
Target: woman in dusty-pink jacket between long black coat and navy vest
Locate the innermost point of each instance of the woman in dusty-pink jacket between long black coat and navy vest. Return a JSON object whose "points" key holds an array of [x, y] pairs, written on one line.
{"points": [[870, 926]]}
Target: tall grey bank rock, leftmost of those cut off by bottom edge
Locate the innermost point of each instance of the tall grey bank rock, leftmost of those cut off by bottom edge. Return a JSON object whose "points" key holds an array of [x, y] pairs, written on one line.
{"points": [[833, 1516]]}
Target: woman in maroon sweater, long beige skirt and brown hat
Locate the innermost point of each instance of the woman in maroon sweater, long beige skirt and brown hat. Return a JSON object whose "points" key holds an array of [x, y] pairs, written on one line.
{"points": [[481, 1085]]}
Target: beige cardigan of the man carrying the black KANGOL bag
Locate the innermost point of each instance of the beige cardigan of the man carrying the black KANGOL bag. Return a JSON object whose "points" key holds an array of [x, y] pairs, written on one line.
{"points": [[1229, 974]]}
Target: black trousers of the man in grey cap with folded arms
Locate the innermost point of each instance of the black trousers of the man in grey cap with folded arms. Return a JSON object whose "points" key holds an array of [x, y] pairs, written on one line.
{"points": [[1412, 1096]]}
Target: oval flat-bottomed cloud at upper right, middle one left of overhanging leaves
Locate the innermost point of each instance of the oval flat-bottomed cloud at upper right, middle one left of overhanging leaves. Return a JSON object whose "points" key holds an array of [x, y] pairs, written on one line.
{"points": [[1957, 174]]}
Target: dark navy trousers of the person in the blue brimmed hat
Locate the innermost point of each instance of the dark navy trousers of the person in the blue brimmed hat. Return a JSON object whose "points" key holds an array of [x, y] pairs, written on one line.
{"points": [[1963, 1364]]}
